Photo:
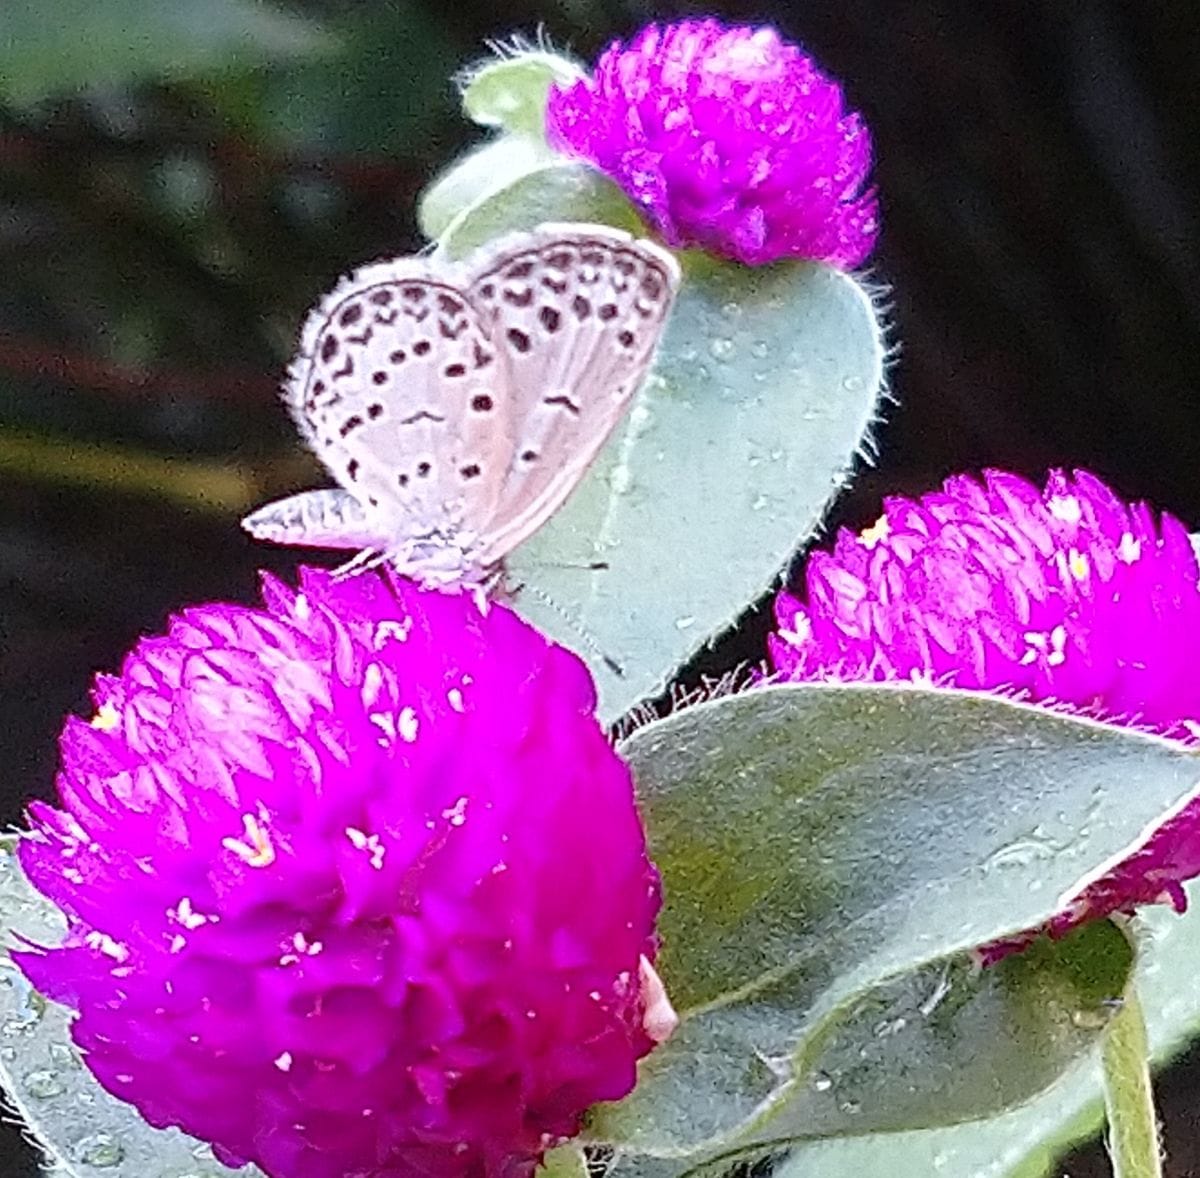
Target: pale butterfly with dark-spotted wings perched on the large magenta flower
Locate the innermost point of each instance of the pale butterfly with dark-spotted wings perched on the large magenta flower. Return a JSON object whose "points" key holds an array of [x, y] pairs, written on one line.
{"points": [[458, 405]]}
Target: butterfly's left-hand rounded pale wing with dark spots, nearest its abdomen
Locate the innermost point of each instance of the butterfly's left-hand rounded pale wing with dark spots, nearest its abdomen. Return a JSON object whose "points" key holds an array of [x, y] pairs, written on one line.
{"points": [[399, 392]]}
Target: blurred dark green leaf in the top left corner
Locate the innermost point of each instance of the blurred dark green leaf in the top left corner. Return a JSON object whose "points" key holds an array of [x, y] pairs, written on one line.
{"points": [[50, 49]]}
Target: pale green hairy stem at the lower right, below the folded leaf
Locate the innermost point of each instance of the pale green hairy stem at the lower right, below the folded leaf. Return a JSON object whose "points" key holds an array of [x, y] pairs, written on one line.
{"points": [[1129, 1097]]}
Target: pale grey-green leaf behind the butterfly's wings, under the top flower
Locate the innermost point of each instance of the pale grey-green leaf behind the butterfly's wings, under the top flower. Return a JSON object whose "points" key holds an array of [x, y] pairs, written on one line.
{"points": [[765, 387]]}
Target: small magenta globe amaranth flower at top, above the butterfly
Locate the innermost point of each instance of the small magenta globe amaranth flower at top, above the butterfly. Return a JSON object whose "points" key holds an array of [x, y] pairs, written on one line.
{"points": [[728, 139]]}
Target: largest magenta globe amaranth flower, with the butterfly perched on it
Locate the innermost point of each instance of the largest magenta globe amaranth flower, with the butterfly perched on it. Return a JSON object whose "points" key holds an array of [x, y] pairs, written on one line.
{"points": [[355, 886]]}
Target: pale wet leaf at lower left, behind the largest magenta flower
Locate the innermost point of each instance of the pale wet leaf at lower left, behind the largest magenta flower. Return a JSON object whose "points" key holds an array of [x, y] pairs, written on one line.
{"points": [[83, 1132]]}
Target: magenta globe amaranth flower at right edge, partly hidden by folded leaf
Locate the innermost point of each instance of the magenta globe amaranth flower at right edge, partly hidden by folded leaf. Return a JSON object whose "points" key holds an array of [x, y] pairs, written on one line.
{"points": [[1065, 596]]}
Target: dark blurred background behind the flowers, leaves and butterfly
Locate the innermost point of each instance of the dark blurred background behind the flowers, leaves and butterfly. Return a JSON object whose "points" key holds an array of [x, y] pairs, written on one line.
{"points": [[181, 178]]}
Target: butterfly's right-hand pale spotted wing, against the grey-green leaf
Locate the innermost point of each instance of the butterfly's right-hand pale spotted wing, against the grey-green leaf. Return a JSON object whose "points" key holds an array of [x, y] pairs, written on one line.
{"points": [[575, 314]]}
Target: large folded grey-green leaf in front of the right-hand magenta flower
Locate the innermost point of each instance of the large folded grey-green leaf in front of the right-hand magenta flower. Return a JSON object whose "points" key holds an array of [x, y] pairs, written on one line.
{"points": [[826, 852]]}
